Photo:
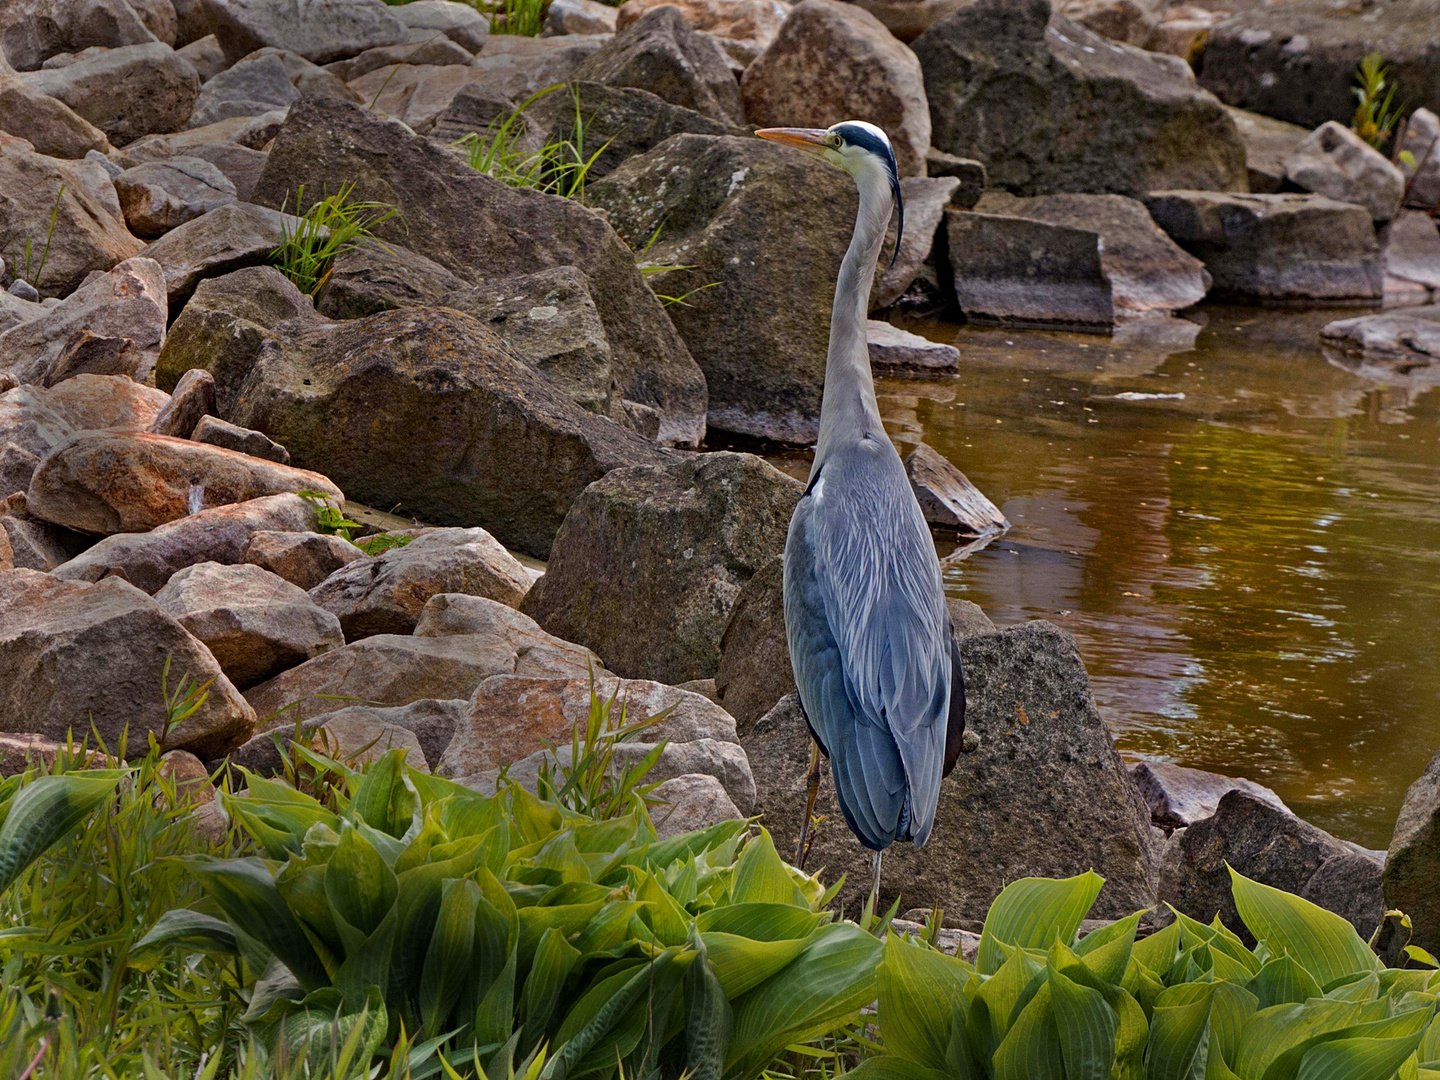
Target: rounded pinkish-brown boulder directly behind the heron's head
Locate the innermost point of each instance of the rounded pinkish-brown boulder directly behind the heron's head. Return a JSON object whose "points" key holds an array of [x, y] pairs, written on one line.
{"points": [[836, 61]]}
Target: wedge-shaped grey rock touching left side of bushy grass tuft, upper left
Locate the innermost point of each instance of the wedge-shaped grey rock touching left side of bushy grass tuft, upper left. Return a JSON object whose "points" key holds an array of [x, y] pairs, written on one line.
{"points": [[218, 243]]}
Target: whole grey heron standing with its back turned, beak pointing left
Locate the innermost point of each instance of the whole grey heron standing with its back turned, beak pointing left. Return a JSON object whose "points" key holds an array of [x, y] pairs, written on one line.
{"points": [[876, 666]]}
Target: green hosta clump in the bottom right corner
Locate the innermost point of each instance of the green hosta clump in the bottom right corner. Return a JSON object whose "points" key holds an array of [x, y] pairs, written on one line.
{"points": [[1192, 1003]]}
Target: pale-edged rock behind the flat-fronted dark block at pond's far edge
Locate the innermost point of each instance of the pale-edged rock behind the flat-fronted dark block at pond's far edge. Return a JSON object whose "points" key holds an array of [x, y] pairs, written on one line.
{"points": [[1148, 273]]}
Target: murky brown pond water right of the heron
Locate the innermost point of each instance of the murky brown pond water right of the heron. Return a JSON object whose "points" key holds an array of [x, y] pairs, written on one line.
{"points": [[1251, 558]]}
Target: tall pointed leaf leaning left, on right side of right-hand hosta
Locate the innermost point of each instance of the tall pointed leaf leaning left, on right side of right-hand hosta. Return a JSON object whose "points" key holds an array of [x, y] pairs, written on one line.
{"points": [[1320, 941]]}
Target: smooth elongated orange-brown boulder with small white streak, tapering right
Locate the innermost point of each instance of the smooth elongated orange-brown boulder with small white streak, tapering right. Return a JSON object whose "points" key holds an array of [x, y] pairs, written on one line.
{"points": [[114, 482]]}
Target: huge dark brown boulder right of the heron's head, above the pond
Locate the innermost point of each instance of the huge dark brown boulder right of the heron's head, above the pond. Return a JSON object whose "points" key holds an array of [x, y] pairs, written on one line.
{"points": [[1052, 107]]}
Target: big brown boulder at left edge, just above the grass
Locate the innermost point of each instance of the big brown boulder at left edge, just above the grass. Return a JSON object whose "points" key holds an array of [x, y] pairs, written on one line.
{"points": [[76, 656]]}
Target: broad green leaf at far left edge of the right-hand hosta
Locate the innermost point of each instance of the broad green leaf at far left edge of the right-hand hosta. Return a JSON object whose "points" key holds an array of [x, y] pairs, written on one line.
{"points": [[921, 991]]}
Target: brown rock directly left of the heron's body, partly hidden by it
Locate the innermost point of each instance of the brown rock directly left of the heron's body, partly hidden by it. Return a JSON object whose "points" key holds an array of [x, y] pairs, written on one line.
{"points": [[755, 656]]}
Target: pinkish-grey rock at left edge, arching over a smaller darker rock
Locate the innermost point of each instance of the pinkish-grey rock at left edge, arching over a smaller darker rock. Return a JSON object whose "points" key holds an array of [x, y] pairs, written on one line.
{"points": [[126, 303]]}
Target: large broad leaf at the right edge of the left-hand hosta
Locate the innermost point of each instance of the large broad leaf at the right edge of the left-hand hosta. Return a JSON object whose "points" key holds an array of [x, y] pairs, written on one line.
{"points": [[832, 980]]}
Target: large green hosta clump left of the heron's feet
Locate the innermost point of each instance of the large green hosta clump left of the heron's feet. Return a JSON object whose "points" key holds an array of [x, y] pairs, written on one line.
{"points": [[513, 934]]}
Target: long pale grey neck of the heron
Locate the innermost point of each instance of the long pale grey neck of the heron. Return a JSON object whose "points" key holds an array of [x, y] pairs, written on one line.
{"points": [[849, 405]]}
